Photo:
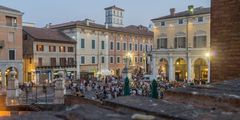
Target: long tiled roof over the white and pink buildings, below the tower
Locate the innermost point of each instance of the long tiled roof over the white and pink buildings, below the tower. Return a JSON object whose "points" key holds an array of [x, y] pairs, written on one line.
{"points": [[132, 30]]}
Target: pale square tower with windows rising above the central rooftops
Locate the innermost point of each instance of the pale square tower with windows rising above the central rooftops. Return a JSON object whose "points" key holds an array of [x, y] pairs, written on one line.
{"points": [[114, 16]]}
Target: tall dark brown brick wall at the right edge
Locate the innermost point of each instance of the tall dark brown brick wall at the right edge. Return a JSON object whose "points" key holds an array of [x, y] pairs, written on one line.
{"points": [[225, 40]]}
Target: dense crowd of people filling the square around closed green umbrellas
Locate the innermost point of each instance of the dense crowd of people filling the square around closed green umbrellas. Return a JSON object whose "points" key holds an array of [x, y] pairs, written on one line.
{"points": [[111, 87]]}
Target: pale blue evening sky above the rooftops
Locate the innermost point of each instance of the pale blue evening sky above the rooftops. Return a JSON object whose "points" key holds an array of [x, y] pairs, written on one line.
{"points": [[137, 12]]}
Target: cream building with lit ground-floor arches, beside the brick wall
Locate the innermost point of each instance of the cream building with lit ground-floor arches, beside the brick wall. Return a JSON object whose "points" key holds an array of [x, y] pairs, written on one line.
{"points": [[181, 45]]}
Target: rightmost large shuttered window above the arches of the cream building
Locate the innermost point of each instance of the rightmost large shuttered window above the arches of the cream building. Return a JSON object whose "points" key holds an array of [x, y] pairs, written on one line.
{"points": [[200, 41]]}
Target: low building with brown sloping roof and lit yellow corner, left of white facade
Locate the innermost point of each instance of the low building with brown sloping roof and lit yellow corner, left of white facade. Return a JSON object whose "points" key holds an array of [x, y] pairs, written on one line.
{"points": [[46, 52]]}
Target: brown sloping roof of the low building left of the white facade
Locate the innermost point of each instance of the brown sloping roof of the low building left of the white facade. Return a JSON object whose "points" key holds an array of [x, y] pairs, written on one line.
{"points": [[47, 34]]}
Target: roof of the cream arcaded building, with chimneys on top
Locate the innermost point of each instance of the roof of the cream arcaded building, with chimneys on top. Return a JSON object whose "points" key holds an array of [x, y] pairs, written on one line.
{"points": [[197, 11]]}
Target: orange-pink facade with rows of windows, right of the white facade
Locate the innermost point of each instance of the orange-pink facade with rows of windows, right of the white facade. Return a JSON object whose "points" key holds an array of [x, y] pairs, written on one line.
{"points": [[135, 41]]}
